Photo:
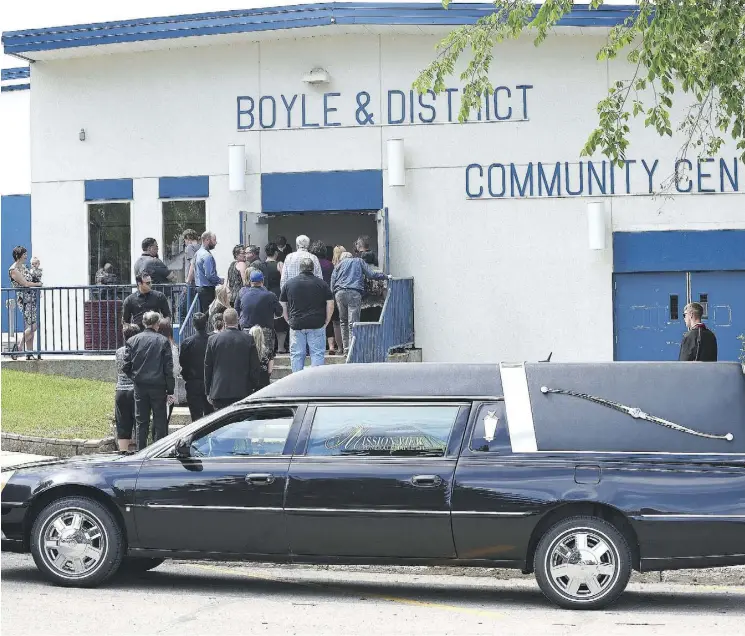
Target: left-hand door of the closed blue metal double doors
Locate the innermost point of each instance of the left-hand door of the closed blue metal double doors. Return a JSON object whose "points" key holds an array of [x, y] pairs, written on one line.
{"points": [[648, 315]]}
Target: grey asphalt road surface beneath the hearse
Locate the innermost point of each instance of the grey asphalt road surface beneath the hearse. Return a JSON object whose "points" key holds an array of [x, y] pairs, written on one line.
{"points": [[227, 598]]}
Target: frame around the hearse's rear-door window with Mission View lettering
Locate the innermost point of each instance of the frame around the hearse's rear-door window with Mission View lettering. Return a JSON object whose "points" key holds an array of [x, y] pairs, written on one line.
{"points": [[452, 448]]}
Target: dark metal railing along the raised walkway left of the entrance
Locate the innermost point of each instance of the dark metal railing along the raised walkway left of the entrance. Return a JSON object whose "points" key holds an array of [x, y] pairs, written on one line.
{"points": [[78, 319]]}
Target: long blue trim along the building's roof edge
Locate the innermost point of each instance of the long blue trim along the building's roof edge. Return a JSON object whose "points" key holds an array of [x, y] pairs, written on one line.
{"points": [[276, 18]]}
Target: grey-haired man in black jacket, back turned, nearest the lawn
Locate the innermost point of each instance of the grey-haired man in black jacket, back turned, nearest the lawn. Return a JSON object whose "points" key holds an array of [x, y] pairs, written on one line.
{"points": [[148, 362]]}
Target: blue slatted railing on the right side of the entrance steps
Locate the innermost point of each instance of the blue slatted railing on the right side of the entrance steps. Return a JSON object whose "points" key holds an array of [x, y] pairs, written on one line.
{"points": [[373, 341]]}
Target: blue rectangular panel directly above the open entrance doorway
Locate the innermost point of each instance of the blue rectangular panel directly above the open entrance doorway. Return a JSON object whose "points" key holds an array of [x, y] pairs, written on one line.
{"points": [[286, 192]]}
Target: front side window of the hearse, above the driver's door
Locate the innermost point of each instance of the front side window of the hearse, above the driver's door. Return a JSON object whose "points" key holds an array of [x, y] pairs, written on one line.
{"points": [[252, 434]]}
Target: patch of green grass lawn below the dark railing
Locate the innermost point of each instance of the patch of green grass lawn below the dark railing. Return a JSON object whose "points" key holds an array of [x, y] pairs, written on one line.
{"points": [[55, 406]]}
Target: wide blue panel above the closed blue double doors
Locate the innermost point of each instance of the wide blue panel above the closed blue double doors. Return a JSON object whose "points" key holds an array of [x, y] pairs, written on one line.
{"points": [[678, 251]]}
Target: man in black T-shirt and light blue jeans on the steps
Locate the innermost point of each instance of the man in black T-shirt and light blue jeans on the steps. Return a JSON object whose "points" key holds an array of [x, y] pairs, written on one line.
{"points": [[307, 306]]}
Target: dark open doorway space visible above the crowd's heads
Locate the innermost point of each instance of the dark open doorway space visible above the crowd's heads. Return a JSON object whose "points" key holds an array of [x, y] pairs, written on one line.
{"points": [[333, 228]]}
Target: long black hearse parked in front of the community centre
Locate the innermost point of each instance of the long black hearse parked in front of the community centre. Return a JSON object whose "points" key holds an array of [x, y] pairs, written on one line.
{"points": [[577, 472]]}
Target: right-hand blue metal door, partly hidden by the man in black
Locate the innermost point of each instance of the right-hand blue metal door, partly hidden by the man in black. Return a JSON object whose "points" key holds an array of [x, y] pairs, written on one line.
{"points": [[722, 295]]}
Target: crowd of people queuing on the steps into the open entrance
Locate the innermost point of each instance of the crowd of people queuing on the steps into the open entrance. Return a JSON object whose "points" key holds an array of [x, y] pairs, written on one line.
{"points": [[244, 319]]}
